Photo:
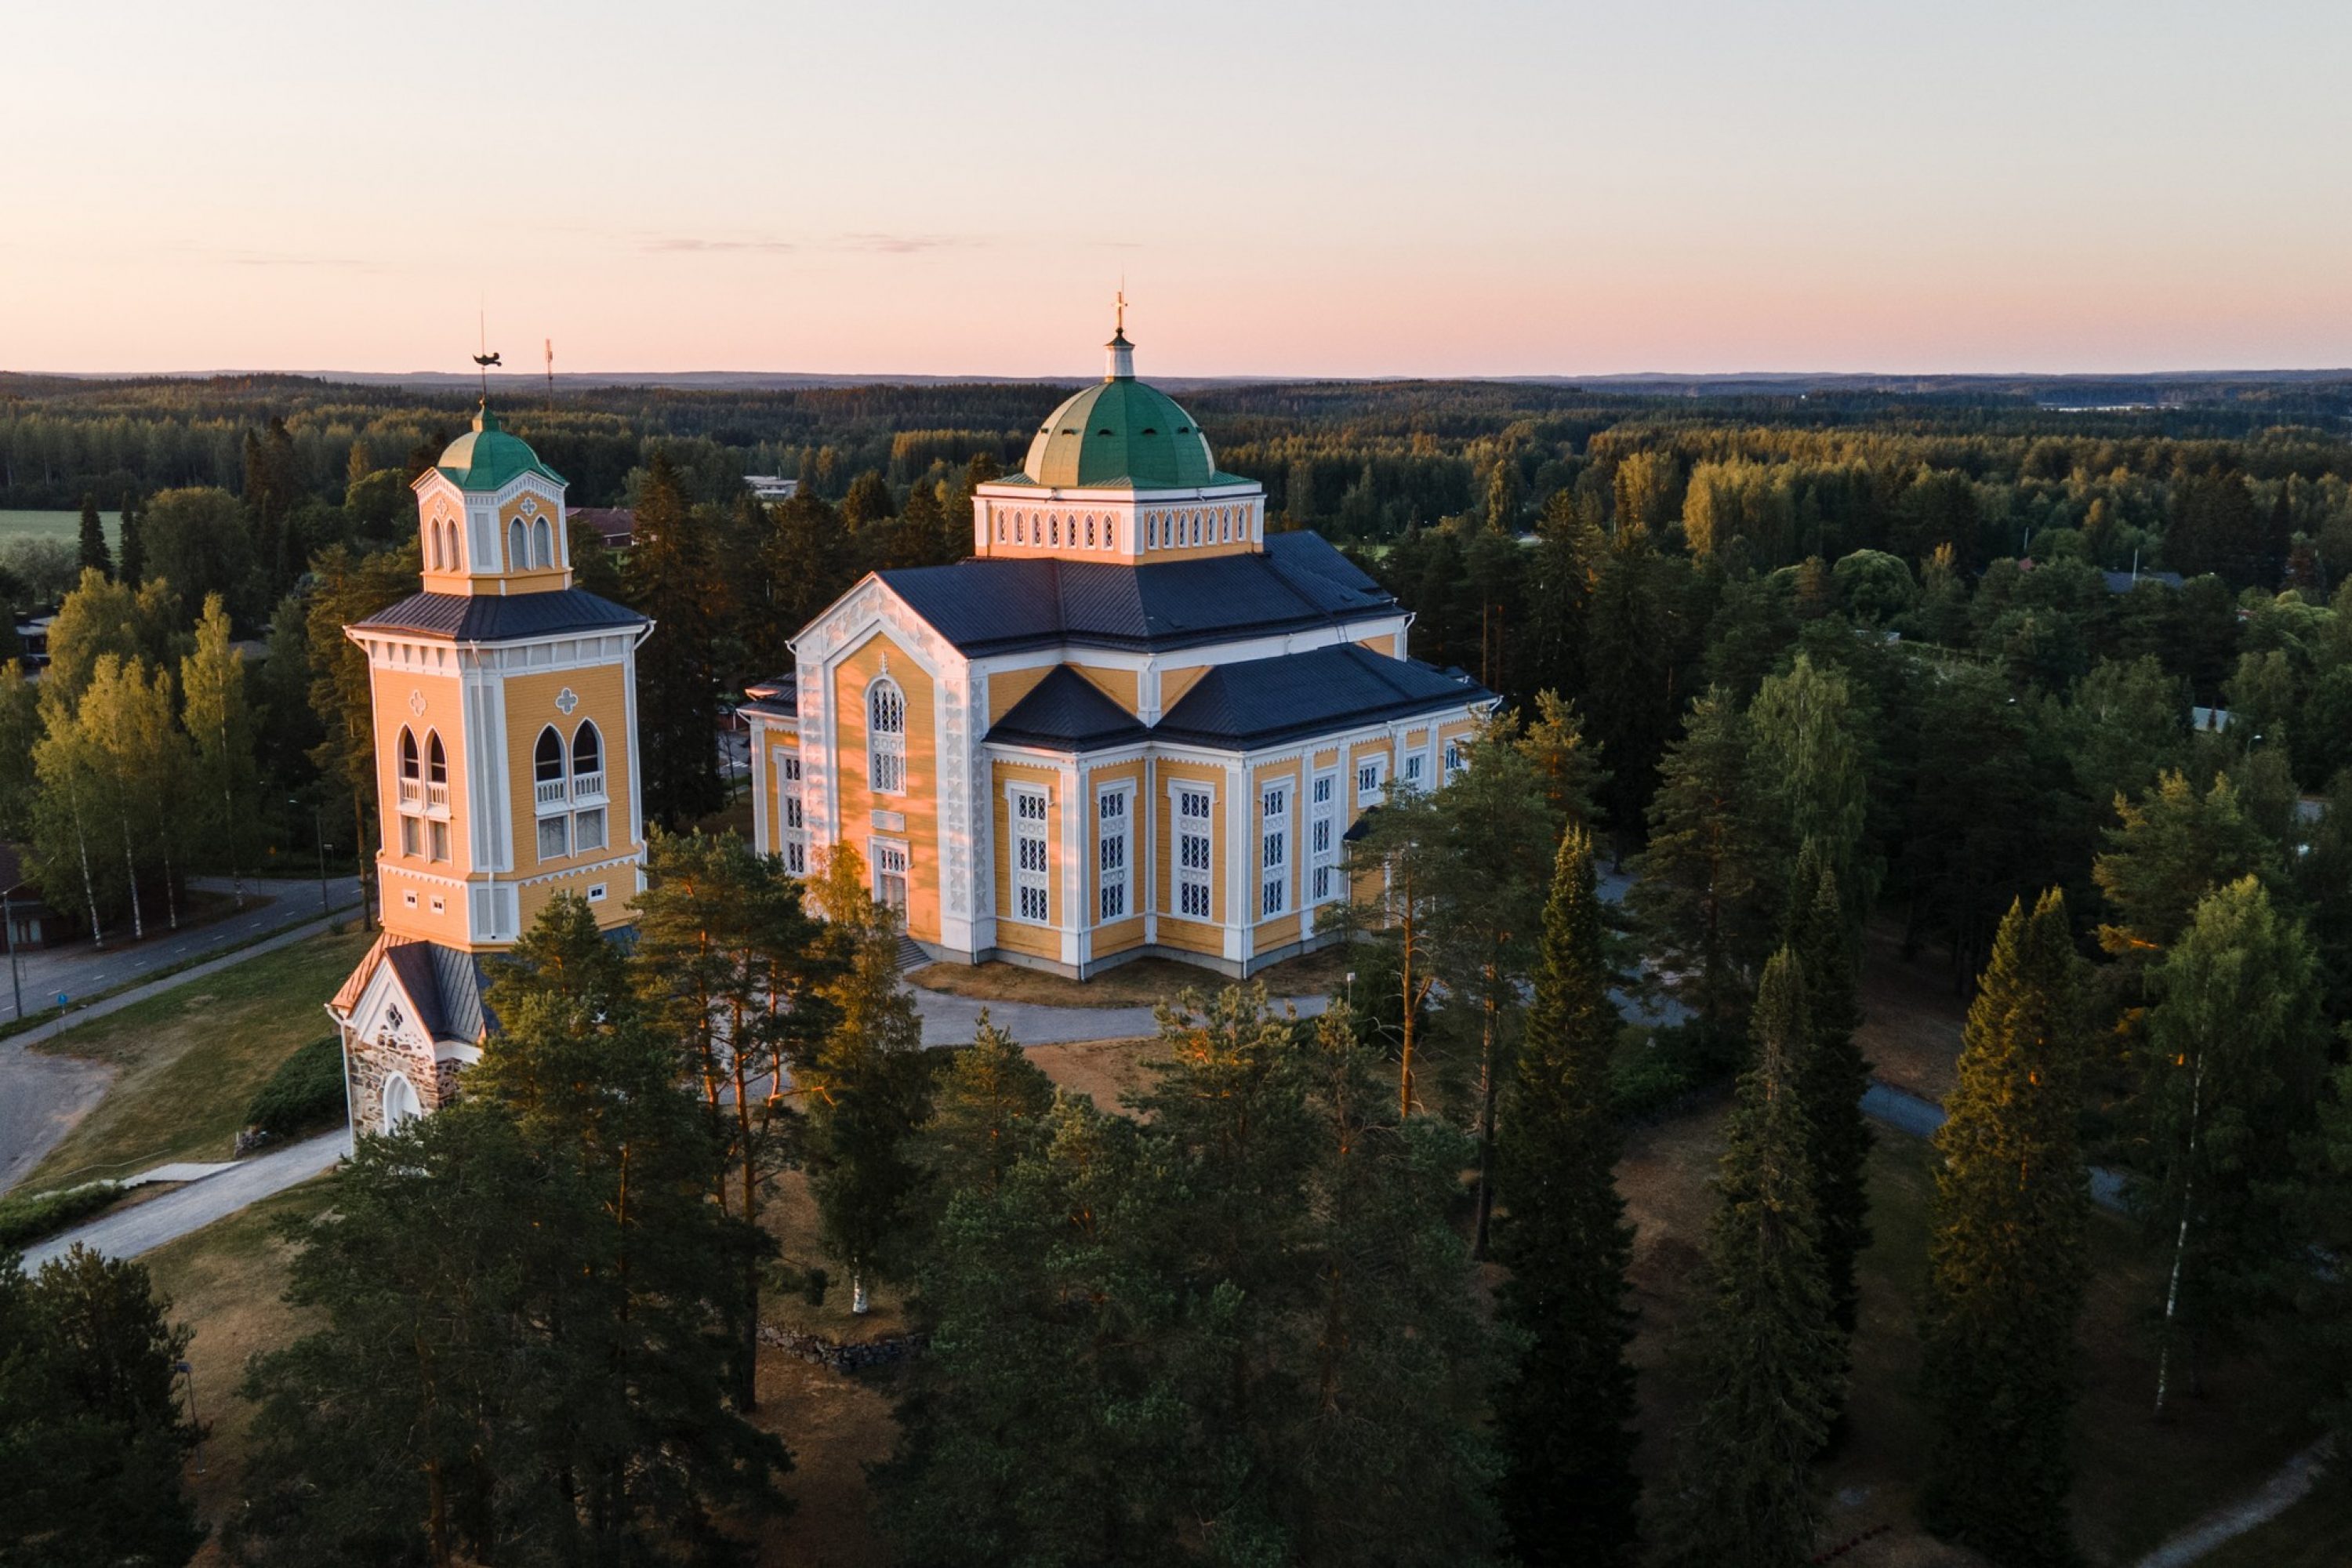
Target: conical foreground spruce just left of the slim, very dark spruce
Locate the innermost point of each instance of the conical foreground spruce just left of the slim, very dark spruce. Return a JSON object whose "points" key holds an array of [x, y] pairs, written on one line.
{"points": [[1768, 1351]]}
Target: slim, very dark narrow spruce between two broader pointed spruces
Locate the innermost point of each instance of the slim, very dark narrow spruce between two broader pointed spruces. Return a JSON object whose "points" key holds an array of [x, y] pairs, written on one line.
{"points": [[1831, 1078]]}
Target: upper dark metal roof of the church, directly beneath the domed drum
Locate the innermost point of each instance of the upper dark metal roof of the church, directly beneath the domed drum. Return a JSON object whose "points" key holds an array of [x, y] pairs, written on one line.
{"points": [[1008, 605]]}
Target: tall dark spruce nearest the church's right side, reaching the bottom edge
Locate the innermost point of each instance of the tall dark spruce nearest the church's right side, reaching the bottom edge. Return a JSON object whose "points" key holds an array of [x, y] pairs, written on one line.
{"points": [[1565, 1419]]}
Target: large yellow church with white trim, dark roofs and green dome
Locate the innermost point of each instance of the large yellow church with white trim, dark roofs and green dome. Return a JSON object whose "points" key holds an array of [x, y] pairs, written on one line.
{"points": [[1132, 723]]}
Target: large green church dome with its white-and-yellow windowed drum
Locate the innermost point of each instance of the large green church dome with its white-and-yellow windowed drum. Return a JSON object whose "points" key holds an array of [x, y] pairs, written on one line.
{"points": [[1118, 474]]}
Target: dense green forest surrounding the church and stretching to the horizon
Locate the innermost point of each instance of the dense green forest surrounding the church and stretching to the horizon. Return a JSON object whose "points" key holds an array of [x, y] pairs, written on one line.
{"points": [[2050, 702]]}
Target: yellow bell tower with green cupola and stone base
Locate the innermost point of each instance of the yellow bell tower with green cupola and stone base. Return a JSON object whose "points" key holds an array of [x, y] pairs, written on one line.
{"points": [[507, 765]]}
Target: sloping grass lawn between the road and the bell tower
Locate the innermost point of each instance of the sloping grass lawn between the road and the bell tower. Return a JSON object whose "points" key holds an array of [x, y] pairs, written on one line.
{"points": [[189, 1061]]}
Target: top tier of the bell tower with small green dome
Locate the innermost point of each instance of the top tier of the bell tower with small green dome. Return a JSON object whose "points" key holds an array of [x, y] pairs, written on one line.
{"points": [[493, 516]]}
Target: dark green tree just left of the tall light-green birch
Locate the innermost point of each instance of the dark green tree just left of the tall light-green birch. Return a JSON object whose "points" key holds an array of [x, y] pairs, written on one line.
{"points": [[1699, 887]]}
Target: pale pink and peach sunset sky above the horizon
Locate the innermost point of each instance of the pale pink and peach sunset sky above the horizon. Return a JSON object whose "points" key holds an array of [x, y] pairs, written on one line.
{"points": [[1288, 189]]}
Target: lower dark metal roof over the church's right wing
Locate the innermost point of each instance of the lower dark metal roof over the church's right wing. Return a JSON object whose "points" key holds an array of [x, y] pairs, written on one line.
{"points": [[1264, 702]]}
